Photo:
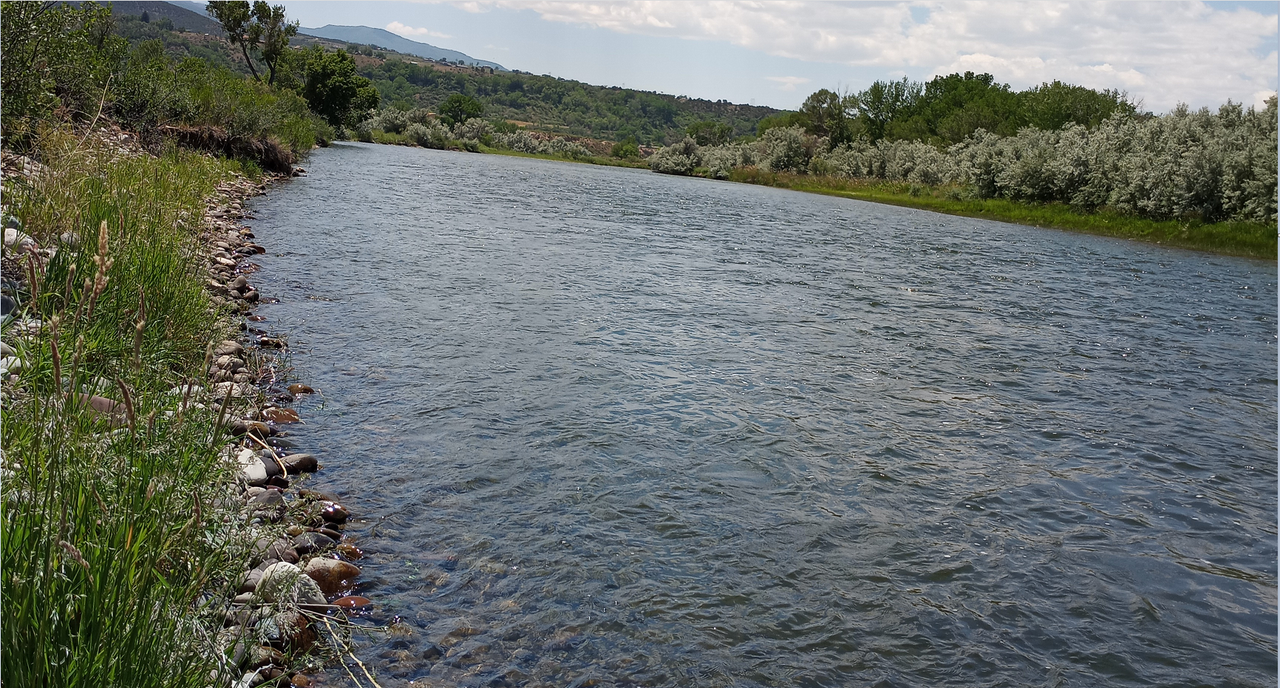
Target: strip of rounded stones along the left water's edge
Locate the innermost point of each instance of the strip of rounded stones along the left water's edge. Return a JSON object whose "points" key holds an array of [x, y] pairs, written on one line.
{"points": [[301, 570]]}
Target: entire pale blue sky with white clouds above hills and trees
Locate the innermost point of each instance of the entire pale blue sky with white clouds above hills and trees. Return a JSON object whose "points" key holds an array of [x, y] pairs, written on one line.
{"points": [[778, 52]]}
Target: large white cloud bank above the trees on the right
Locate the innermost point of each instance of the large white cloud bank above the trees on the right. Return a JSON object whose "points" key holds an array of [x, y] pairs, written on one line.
{"points": [[1163, 53]]}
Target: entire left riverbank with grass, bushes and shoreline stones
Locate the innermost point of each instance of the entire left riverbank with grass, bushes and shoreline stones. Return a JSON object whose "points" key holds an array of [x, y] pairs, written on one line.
{"points": [[154, 531]]}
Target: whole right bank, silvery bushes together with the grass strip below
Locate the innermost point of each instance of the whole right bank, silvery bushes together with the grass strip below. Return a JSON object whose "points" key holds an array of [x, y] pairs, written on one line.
{"points": [[1195, 180]]}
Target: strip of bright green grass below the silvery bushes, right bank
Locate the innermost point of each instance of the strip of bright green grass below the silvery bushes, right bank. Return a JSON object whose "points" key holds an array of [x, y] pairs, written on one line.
{"points": [[1249, 240]]}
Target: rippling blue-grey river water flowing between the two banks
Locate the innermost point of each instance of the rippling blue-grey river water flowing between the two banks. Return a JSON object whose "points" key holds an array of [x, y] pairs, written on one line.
{"points": [[609, 428]]}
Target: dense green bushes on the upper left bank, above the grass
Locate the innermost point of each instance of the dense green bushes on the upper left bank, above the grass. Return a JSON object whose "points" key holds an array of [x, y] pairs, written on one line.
{"points": [[66, 65]]}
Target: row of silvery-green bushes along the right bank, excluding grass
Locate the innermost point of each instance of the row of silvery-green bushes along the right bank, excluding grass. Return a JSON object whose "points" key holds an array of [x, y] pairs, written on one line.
{"points": [[1186, 164]]}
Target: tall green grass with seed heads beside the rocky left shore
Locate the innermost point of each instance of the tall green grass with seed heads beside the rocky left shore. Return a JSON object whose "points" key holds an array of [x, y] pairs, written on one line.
{"points": [[113, 539]]}
